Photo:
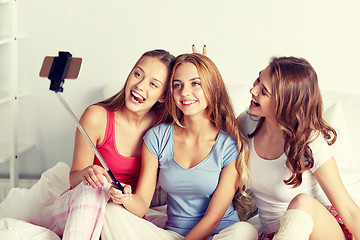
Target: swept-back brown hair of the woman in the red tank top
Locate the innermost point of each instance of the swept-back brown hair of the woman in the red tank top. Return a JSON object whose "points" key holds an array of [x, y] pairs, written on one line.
{"points": [[117, 101]]}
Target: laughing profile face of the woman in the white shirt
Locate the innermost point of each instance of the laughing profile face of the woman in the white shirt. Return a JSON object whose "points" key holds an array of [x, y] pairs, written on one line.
{"points": [[263, 101]]}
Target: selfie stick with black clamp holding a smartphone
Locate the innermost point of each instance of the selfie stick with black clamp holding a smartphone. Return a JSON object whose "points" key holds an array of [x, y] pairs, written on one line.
{"points": [[57, 69]]}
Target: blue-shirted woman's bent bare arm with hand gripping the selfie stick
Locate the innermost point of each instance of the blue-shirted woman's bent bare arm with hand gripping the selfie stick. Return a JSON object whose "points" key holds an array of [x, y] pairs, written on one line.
{"points": [[139, 202]]}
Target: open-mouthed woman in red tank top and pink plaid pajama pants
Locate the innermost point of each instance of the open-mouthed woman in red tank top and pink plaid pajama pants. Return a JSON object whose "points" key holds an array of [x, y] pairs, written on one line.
{"points": [[116, 126]]}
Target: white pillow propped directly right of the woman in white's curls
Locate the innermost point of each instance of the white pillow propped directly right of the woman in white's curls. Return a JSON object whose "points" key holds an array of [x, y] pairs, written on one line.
{"points": [[342, 148]]}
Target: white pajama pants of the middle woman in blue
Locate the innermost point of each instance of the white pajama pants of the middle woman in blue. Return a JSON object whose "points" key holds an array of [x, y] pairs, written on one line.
{"points": [[121, 224]]}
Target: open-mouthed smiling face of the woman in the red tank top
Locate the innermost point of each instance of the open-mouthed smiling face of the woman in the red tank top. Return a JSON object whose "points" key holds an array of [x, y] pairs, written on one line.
{"points": [[146, 84]]}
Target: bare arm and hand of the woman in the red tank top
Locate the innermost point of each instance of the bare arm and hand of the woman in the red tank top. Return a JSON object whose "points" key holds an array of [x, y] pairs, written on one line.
{"points": [[94, 122]]}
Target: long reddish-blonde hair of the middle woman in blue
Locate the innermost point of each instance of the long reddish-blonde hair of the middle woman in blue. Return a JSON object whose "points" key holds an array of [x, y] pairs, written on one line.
{"points": [[220, 111]]}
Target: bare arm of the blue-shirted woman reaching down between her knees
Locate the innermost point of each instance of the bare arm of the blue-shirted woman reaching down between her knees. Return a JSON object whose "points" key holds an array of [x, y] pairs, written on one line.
{"points": [[218, 205]]}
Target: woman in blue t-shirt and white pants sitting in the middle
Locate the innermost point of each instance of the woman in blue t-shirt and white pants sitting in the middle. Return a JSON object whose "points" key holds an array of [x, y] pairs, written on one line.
{"points": [[197, 150]]}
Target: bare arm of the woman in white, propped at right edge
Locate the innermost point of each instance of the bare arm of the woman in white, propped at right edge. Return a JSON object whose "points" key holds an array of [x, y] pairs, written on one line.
{"points": [[329, 179]]}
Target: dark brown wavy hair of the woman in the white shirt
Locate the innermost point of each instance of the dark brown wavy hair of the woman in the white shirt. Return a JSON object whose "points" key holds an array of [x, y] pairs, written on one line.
{"points": [[298, 111]]}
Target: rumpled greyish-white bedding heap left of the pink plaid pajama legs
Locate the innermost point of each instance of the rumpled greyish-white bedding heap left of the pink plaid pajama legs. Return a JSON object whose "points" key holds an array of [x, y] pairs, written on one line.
{"points": [[34, 205]]}
